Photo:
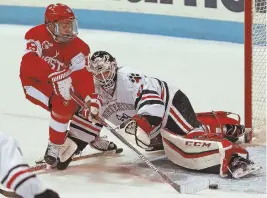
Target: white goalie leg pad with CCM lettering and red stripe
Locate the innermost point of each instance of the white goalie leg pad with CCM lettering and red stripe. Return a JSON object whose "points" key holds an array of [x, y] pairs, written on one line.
{"points": [[190, 153]]}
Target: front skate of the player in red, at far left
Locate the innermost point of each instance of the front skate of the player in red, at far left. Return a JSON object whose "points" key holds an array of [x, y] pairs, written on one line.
{"points": [[51, 154]]}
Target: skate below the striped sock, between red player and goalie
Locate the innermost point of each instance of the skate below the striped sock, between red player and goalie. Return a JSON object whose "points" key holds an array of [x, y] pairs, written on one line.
{"points": [[102, 144]]}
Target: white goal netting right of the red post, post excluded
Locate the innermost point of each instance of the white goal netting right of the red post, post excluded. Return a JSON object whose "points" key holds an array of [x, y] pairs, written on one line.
{"points": [[259, 67]]}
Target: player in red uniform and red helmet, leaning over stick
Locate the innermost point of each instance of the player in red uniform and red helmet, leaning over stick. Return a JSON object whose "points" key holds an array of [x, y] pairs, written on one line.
{"points": [[54, 65]]}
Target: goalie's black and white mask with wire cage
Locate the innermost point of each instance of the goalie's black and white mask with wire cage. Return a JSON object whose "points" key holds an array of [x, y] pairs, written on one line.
{"points": [[104, 68]]}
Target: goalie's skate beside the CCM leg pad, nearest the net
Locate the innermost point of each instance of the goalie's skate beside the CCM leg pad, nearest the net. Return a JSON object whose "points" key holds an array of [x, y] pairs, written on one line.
{"points": [[240, 167]]}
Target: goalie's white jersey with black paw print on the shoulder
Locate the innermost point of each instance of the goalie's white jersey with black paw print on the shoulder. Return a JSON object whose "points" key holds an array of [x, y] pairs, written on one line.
{"points": [[136, 94]]}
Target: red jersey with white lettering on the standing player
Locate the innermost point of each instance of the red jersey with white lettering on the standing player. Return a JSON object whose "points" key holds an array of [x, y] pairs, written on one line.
{"points": [[44, 56]]}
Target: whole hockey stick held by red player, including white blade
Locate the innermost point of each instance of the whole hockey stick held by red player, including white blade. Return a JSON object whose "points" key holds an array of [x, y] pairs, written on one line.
{"points": [[187, 189]]}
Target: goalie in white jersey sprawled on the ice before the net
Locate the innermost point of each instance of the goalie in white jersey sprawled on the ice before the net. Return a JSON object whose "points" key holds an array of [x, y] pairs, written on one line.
{"points": [[157, 116]]}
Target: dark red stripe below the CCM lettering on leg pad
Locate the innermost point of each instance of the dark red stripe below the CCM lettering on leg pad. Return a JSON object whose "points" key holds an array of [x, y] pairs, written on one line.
{"points": [[189, 155]]}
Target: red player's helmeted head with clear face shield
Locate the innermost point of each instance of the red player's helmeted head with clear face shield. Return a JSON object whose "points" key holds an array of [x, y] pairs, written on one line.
{"points": [[61, 22]]}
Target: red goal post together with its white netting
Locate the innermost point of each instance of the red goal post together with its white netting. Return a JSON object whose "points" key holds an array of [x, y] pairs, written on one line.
{"points": [[255, 64]]}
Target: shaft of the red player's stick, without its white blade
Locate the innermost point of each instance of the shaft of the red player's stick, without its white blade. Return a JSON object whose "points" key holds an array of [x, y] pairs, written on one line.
{"points": [[176, 186]]}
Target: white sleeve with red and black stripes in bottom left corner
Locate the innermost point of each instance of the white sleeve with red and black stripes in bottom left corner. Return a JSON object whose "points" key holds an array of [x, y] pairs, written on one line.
{"points": [[14, 172]]}
